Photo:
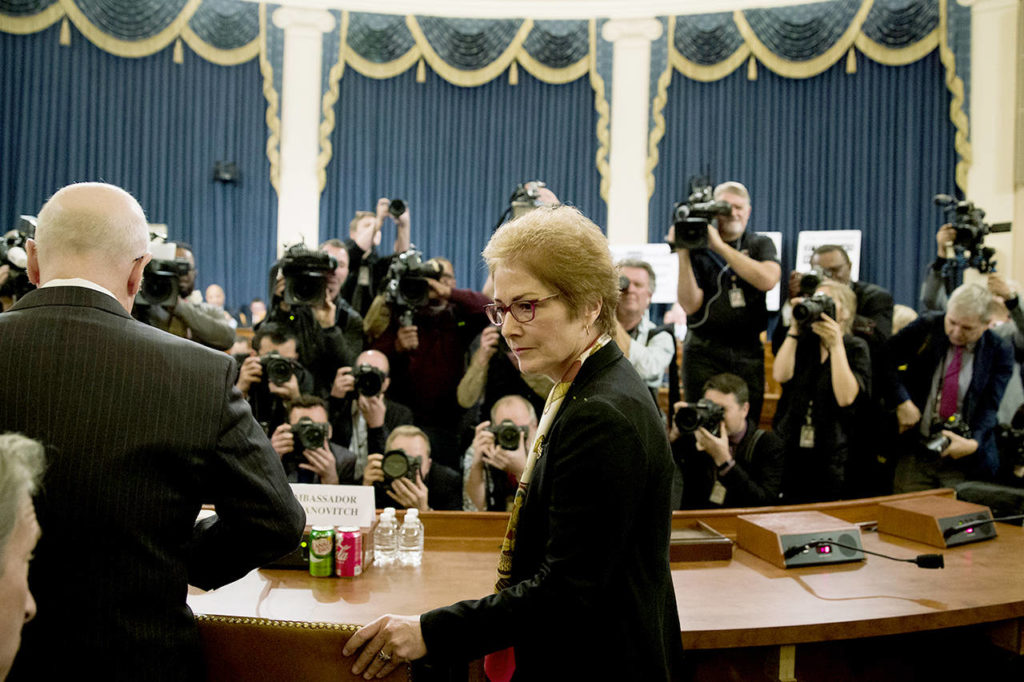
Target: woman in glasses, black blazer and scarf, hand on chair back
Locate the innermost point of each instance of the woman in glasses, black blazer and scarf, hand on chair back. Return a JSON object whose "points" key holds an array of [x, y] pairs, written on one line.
{"points": [[586, 556]]}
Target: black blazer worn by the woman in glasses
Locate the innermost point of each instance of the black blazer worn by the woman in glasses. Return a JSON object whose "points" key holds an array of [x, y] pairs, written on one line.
{"points": [[591, 595]]}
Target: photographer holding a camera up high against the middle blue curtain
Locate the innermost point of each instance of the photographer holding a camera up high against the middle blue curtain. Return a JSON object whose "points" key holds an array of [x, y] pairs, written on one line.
{"points": [[367, 268]]}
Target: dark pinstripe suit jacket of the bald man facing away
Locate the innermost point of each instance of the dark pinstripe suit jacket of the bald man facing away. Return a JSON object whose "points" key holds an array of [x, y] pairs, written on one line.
{"points": [[141, 430]]}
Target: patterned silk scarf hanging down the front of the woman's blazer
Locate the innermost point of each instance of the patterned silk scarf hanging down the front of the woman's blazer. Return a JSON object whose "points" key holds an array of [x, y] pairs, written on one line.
{"points": [[500, 666]]}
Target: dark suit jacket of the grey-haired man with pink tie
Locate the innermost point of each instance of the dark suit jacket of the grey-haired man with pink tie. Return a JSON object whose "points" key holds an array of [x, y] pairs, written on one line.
{"points": [[921, 348]]}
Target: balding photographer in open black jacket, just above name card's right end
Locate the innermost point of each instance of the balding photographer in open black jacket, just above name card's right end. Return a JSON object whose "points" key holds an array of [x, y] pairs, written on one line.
{"points": [[362, 414]]}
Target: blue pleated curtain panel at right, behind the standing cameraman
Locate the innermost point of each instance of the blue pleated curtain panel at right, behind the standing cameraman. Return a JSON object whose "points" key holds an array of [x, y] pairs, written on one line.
{"points": [[838, 152]]}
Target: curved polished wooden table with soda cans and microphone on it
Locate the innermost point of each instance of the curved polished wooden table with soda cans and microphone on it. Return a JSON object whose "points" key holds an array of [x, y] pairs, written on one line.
{"points": [[724, 607]]}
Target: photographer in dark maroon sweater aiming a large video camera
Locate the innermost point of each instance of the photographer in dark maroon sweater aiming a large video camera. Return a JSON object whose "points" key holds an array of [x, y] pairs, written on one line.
{"points": [[429, 356]]}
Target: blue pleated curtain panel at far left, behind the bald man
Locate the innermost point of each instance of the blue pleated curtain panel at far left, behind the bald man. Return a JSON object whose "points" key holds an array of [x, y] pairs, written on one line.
{"points": [[156, 129]]}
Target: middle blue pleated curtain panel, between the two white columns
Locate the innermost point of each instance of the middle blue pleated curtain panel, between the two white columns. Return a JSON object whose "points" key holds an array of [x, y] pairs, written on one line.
{"points": [[456, 156]]}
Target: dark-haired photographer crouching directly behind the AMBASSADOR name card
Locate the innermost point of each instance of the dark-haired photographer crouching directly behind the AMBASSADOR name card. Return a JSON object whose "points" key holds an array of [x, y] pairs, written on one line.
{"points": [[305, 447]]}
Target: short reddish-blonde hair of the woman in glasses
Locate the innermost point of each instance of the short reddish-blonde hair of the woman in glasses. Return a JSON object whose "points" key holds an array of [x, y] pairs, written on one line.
{"points": [[564, 249]]}
